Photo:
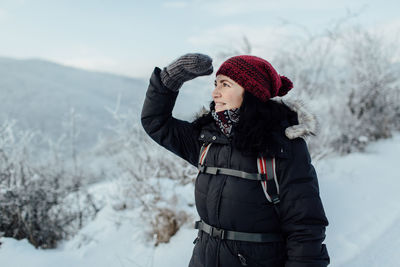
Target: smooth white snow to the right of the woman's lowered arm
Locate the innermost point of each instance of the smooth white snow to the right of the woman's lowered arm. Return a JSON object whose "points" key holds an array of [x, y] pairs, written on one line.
{"points": [[360, 194]]}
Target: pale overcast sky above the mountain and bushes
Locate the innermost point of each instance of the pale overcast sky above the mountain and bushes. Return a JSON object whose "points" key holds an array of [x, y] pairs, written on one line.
{"points": [[131, 37]]}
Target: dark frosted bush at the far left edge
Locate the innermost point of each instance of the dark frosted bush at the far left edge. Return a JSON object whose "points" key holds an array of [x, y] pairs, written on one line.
{"points": [[41, 201]]}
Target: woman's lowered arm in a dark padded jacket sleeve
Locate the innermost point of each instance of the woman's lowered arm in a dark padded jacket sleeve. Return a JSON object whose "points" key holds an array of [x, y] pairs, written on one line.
{"points": [[302, 214]]}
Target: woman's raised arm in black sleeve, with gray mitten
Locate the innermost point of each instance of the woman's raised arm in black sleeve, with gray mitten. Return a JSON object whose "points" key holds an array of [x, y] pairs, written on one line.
{"points": [[178, 136]]}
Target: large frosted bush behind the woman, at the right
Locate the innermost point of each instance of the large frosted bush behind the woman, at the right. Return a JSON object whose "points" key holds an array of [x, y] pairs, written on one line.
{"points": [[350, 78]]}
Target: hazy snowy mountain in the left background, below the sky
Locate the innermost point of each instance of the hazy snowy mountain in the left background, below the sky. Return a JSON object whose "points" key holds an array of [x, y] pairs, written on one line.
{"points": [[39, 95]]}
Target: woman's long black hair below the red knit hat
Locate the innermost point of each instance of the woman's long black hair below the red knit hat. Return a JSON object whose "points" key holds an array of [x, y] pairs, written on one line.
{"points": [[260, 127]]}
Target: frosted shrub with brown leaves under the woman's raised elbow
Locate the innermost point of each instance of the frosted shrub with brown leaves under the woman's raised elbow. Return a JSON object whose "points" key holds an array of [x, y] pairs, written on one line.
{"points": [[148, 178]]}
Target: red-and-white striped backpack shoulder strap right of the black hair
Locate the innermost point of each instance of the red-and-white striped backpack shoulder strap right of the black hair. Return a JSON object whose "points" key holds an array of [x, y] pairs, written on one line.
{"points": [[270, 185]]}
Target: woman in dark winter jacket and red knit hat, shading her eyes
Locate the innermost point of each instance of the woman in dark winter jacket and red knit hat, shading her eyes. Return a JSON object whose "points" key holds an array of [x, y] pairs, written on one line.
{"points": [[247, 218]]}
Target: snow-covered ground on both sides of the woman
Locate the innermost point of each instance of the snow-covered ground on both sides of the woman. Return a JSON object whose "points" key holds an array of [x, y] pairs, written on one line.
{"points": [[359, 192]]}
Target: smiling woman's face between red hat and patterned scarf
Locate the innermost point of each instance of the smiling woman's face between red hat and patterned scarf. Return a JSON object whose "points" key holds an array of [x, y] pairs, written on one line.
{"points": [[227, 93]]}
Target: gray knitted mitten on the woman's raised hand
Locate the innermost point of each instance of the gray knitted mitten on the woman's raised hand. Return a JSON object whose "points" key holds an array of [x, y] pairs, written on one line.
{"points": [[186, 68]]}
